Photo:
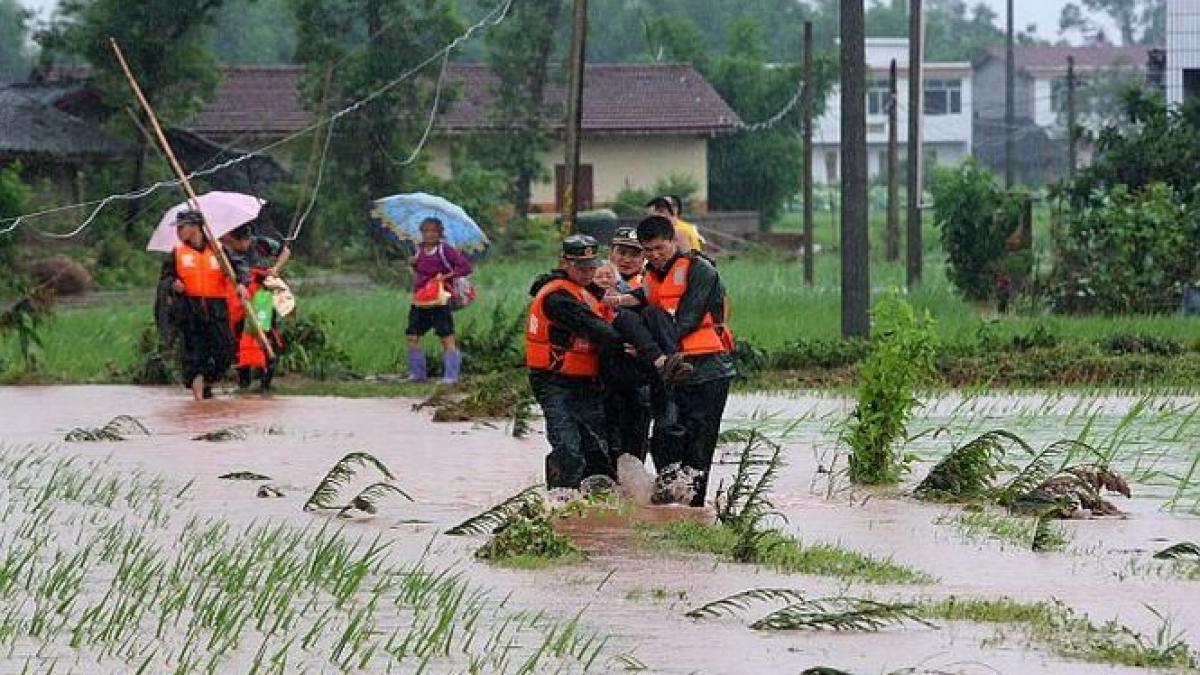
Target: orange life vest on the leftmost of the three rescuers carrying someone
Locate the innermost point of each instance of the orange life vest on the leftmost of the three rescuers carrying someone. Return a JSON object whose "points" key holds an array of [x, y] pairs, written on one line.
{"points": [[575, 360]]}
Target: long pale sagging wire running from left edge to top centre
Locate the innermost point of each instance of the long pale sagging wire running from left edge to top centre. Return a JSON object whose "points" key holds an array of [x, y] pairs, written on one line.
{"points": [[491, 20]]}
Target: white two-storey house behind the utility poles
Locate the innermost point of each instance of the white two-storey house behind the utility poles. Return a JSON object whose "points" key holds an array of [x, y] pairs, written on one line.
{"points": [[947, 128]]}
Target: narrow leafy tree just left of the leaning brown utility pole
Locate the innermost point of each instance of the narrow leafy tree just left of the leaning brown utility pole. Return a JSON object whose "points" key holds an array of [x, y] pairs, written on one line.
{"points": [[519, 52]]}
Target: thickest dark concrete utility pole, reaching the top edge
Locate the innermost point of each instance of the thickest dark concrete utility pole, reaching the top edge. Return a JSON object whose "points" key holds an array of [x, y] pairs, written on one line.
{"points": [[856, 284]]}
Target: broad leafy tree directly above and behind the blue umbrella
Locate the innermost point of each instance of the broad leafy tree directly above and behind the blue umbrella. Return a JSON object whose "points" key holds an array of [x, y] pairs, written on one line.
{"points": [[371, 44]]}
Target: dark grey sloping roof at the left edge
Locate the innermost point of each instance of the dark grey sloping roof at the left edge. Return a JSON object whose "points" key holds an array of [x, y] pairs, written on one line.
{"points": [[34, 129]]}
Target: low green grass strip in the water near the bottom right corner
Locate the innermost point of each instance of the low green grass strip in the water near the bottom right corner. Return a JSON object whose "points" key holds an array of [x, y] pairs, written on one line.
{"points": [[1072, 635]]}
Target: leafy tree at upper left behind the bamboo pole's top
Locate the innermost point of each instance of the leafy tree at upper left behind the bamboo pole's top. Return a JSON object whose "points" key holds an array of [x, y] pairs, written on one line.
{"points": [[166, 44]]}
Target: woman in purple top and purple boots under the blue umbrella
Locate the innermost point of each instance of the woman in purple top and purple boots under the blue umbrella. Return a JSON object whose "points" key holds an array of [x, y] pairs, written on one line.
{"points": [[435, 268]]}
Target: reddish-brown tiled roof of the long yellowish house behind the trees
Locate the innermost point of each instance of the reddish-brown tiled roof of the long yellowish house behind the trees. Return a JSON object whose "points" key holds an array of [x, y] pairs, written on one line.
{"points": [[619, 99]]}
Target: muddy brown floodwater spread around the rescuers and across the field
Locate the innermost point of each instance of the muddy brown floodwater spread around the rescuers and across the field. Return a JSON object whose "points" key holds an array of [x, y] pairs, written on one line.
{"points": [[635, 595]]}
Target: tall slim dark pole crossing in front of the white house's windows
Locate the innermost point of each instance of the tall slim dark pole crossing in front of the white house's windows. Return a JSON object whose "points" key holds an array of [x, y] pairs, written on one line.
{"points": [[916, 111]]}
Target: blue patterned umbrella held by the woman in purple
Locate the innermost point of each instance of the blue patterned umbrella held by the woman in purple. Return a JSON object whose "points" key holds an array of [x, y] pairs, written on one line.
{"points": [[401, 216]]}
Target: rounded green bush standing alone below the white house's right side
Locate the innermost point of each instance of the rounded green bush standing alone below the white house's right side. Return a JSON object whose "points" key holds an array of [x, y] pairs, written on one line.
{"points": [[976, 219]]}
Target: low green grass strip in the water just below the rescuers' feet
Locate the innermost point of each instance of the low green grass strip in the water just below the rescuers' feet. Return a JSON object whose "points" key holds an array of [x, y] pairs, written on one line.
{"points": [[784, 553]]}
